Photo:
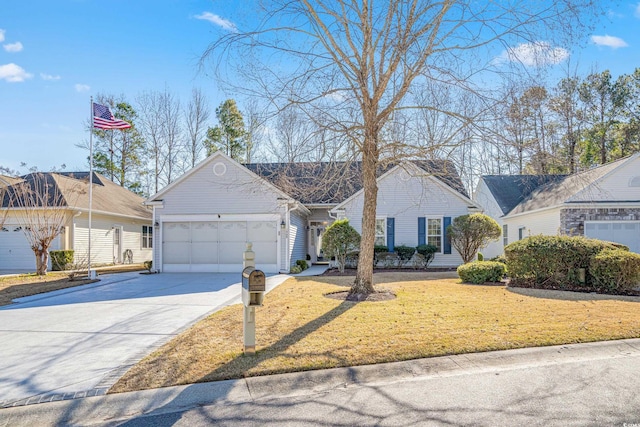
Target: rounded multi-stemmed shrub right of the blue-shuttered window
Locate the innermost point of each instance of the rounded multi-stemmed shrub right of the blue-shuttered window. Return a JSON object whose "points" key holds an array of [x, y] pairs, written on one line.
{"points": [[472, 232]]}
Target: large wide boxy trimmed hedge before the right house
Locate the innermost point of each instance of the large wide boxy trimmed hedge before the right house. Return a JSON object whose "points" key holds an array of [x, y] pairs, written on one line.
{"points": [[553, 260]]}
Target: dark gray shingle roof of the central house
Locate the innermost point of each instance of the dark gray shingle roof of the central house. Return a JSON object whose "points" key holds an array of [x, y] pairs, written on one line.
{"points": [[333, 182]]}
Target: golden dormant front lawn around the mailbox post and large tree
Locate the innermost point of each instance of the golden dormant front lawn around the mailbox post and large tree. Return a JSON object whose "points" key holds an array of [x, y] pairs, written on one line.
{"points": [[298, 328]]}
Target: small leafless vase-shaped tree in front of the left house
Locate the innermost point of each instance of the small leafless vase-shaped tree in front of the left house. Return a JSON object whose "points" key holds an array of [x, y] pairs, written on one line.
{"points": [[40, 203]]}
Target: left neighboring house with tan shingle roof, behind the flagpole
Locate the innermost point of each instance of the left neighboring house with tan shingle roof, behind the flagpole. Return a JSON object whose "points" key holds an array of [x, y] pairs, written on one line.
{"points": [[121, 225]]}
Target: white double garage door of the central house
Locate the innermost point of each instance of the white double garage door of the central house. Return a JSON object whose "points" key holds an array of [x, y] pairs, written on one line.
{"points": [[217, 246]]}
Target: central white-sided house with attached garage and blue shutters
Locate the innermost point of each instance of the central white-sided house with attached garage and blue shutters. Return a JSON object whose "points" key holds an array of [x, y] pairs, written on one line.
{"points": [[204, 219]]}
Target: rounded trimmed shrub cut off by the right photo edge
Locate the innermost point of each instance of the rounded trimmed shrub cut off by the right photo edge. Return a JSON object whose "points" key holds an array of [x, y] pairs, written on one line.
{"points": [[615, 270]]}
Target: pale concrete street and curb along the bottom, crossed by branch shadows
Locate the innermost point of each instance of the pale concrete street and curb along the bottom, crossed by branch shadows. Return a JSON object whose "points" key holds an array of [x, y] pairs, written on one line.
{"points": [[460, 390]]}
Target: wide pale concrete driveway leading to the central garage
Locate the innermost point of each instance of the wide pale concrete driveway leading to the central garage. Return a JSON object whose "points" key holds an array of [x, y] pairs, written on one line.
{"points": [[77, 342]]}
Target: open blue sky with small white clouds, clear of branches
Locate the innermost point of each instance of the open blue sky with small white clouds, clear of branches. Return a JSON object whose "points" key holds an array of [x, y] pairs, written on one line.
{"points": [[55, 54]]}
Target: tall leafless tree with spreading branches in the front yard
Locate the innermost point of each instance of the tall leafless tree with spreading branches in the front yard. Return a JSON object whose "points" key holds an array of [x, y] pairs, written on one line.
{"points": [[357, 61]]}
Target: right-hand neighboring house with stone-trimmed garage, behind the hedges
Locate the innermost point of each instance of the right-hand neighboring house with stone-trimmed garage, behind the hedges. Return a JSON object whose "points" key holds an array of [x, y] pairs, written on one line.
{"points": [[601, 203]]}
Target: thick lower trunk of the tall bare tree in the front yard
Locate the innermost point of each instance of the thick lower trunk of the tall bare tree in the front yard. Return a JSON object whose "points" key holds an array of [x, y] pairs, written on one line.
{"points": [[363, 283]]}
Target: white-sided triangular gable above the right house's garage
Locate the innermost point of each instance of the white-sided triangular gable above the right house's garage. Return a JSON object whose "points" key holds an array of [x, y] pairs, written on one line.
{"points": [[621, 185]]}
